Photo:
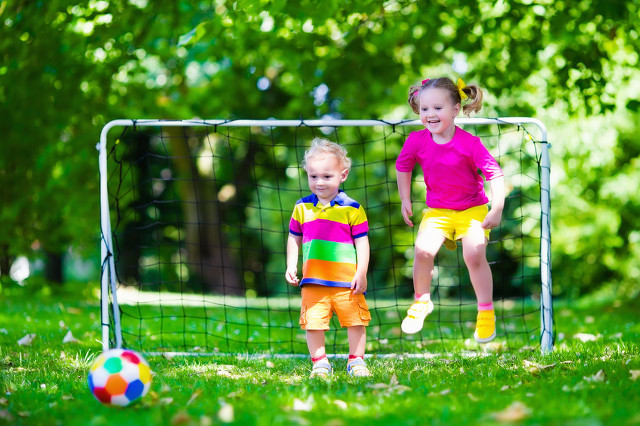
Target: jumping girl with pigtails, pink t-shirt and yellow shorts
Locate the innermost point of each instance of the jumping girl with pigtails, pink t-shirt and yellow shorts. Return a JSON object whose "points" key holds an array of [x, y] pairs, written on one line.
{"points": [[457, 204]]}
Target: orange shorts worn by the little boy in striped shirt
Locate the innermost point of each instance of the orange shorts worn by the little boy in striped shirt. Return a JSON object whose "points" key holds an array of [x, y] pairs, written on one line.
{"points": [[319, 302]]}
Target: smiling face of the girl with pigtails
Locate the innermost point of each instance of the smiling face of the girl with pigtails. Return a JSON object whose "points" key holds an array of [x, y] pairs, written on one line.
{"points": [[438, 112]]}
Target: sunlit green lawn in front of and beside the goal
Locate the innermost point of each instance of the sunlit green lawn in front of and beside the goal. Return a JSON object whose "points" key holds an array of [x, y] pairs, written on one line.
{"points": [[590, 378]]}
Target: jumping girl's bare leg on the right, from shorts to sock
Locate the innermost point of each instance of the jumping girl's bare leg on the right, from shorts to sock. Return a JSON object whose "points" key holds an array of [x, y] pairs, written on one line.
{"points": [[474, 249]]}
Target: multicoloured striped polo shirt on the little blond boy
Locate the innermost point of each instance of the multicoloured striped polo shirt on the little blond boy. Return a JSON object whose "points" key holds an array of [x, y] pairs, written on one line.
{"points": [[328, 234]]}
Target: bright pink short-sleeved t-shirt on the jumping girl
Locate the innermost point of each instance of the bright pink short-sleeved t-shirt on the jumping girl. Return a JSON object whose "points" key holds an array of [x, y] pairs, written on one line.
{"points": [[450, 169]]}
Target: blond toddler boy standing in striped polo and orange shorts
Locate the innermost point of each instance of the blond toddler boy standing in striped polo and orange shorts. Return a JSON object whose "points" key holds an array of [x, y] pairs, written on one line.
{"points": [[332, 230]]}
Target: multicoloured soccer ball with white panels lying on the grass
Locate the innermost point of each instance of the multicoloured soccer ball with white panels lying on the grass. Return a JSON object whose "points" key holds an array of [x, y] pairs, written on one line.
{"points": [[119, 377]]}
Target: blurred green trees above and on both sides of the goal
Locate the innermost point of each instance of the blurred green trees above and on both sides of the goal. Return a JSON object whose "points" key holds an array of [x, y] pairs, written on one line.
{"points": [[67, 68]]}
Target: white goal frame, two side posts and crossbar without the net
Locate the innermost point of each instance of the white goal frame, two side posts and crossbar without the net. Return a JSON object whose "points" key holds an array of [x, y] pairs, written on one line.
{"points": [[110, 313]]}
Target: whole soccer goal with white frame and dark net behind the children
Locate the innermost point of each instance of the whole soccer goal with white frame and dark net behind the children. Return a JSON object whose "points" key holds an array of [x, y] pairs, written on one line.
{"points": [[194, 222]]}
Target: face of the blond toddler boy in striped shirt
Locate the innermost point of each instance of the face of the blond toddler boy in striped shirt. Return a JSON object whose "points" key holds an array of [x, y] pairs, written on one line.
{"points": [[325, 174]]}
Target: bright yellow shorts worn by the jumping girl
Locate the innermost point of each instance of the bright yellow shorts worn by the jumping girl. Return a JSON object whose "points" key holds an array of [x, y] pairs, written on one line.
{"points": [[454, 224]]}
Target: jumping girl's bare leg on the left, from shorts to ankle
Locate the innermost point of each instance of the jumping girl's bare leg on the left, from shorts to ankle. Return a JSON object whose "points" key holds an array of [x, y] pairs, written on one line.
{"points": [[428, 243]]}
